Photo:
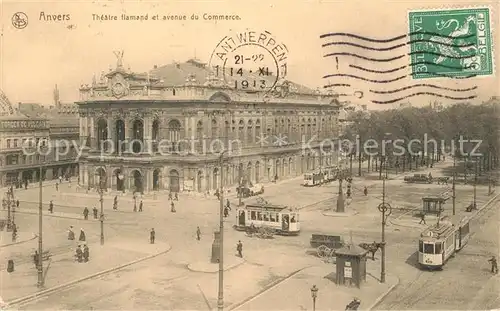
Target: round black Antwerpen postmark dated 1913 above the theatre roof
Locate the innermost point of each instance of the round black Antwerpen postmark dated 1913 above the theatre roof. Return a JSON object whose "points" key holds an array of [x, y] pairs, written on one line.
{"points": [[250, 60]]}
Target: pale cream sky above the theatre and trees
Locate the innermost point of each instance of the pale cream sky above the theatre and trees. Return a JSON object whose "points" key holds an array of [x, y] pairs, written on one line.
{"points": [[68, 53]]}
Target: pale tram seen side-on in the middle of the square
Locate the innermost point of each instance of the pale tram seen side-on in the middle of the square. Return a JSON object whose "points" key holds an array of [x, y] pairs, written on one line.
{"points": [[281, 219]]}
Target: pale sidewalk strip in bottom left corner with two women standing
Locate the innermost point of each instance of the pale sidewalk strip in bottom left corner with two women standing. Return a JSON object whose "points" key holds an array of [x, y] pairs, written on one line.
{"points": [[62, 268]]}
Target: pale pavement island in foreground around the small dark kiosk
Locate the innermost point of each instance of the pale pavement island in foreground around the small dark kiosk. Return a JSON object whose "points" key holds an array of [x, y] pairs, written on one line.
{"points": [[295, 294]]}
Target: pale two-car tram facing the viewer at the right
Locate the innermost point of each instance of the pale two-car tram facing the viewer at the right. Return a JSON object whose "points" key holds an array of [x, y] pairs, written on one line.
{"points": [[440, 241]]}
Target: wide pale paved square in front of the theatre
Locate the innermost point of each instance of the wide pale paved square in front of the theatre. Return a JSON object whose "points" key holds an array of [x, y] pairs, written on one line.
{"points": [[273, 273]]}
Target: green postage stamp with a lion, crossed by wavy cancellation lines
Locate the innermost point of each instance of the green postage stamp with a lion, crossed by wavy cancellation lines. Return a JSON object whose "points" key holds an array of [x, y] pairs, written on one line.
{"points": [[450, 43]]}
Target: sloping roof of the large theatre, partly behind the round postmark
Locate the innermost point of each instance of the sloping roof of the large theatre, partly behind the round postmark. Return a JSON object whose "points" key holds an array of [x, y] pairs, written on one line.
{"points": [[175, 74]]}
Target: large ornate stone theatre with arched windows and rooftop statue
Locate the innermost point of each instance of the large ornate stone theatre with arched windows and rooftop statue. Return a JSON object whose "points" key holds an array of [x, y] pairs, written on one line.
{"points": [[164, 130]]}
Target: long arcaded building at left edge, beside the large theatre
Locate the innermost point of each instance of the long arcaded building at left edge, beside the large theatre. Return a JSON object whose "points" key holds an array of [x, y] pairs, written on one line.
{"points": [[26, 126]]}
